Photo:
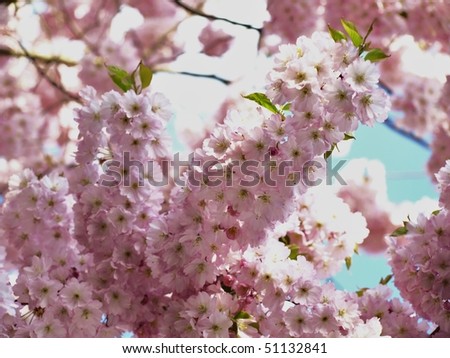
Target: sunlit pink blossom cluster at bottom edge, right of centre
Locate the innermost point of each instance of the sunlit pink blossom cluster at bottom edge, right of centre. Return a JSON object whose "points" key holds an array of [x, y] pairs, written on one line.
{"points": [[294, 302]]}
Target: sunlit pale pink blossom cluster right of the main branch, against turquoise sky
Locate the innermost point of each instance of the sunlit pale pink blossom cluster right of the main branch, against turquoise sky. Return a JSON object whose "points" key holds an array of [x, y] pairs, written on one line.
{"points": [[324, 231]]}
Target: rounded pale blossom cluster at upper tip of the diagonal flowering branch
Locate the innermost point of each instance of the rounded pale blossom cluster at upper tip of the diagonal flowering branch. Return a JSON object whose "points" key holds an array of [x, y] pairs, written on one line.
{"points": [[330, 88]]}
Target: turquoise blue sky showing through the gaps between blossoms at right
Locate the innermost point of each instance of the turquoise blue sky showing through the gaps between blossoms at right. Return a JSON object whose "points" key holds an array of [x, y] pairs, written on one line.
{"points": [[405, 163]]}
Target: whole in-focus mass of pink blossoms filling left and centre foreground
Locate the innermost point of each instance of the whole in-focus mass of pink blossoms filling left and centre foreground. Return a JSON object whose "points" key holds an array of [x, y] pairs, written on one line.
{"points": [[105, 251]]}
